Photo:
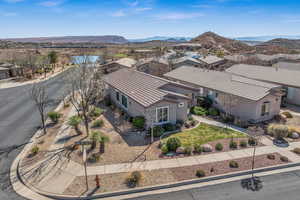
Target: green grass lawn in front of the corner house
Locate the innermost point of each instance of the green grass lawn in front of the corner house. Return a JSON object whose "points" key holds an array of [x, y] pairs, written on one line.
{"points": [[205, 133]]}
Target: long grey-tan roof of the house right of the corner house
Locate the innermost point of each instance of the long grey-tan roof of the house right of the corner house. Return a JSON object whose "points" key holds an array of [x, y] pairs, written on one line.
{"points": [[223, 82]]}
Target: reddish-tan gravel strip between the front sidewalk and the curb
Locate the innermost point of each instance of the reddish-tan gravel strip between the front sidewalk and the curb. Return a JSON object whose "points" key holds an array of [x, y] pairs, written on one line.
{"points": [[116, 181]]}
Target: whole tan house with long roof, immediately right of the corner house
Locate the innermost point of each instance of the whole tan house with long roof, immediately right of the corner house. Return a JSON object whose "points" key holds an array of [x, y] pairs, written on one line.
{"points": [[246, 99]]}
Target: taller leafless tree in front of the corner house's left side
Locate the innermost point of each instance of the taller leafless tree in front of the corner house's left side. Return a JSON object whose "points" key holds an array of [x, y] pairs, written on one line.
{"points": [[86, 87]]}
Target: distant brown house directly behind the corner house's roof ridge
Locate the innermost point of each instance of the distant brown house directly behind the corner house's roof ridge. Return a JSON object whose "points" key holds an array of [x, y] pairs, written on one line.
{"points": [[154, 66]]}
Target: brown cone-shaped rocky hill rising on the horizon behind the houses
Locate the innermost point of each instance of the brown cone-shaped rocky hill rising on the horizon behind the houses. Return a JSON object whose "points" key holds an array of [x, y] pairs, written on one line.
{"points": [[210, 40]]}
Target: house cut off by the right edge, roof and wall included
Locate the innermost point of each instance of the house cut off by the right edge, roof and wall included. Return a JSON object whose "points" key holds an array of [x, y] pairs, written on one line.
{"points": [[287, 78]]}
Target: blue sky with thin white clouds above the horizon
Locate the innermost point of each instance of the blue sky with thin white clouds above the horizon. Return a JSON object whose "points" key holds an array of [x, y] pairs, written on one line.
{"points": [[145, 18]]}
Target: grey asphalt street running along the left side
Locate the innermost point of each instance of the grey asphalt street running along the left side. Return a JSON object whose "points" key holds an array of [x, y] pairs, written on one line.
{"points": [[19, 120]]}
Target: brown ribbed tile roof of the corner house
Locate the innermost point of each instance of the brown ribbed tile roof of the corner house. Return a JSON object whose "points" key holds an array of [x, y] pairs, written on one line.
{"points": [[142, 88]]}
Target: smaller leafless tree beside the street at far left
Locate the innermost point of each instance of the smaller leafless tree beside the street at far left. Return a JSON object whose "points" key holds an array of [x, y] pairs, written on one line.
{"points": [[39, 95]]}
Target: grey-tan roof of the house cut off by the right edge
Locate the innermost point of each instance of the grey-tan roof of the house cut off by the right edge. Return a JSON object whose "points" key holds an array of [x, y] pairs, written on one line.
{"points": [[269, 74]]}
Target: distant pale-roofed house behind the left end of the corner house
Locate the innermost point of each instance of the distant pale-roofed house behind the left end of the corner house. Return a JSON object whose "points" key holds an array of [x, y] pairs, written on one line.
{"points": [[118, 64]]}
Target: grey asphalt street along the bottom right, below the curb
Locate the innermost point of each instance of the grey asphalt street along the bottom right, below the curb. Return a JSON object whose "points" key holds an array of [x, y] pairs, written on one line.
{"points": [[285, 186]]}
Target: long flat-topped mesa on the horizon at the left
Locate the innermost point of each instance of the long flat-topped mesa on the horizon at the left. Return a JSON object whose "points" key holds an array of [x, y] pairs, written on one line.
{"points": [[113, 39]]}
